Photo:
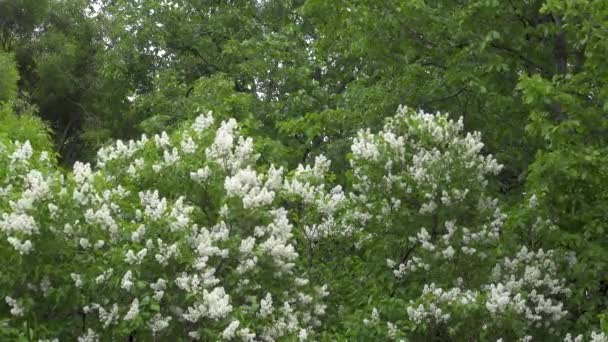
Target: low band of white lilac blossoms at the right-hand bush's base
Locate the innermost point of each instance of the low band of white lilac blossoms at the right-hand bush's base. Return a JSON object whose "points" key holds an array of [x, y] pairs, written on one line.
{"points": [[526, 286]]}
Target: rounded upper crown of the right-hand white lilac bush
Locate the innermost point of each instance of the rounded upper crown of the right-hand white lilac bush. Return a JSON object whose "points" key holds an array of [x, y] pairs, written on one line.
{"points": [[423, 164]]}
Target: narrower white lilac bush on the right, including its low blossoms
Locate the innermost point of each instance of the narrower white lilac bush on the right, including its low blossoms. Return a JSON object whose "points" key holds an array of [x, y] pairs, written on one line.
{"points": [[421, 197]]}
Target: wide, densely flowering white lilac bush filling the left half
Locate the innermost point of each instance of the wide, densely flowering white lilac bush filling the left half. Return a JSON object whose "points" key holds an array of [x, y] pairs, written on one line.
{"points": [[173, 236]]}
